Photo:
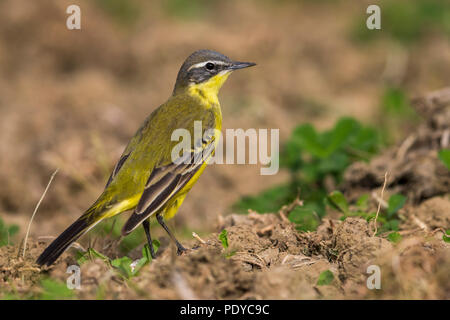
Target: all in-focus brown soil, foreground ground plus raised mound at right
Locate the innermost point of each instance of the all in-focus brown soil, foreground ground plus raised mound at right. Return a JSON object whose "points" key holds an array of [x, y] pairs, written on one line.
{"points": [[268, 258]]}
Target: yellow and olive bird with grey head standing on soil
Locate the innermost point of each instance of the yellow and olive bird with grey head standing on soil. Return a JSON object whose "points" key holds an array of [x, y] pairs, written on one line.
{"points": [[149, 178]]}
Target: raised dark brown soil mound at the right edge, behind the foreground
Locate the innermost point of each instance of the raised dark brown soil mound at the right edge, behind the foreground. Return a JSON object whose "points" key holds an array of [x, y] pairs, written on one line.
{"points": [[413, 165]]}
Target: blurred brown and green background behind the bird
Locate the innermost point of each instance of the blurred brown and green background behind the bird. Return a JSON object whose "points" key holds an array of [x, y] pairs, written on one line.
{"points": [[72, 99]]}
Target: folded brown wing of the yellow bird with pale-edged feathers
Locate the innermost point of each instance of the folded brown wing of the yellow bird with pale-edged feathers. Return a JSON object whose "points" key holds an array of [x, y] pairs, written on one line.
{"points": [[165, 181]]}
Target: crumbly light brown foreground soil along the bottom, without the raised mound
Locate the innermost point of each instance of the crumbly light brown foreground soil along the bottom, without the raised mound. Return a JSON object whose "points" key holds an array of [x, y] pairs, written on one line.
{"points": [[271, 260]]}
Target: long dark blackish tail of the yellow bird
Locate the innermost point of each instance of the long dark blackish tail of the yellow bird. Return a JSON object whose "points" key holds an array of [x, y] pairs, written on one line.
{"points": [[65, 239]]}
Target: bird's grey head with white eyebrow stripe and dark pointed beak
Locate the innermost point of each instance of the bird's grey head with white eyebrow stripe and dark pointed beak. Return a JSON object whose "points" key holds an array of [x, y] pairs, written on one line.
{"points": [[202, 65]]}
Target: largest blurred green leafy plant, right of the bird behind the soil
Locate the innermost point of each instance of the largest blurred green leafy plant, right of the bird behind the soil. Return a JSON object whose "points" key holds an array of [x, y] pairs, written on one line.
{"points": [[314, 160]]}
